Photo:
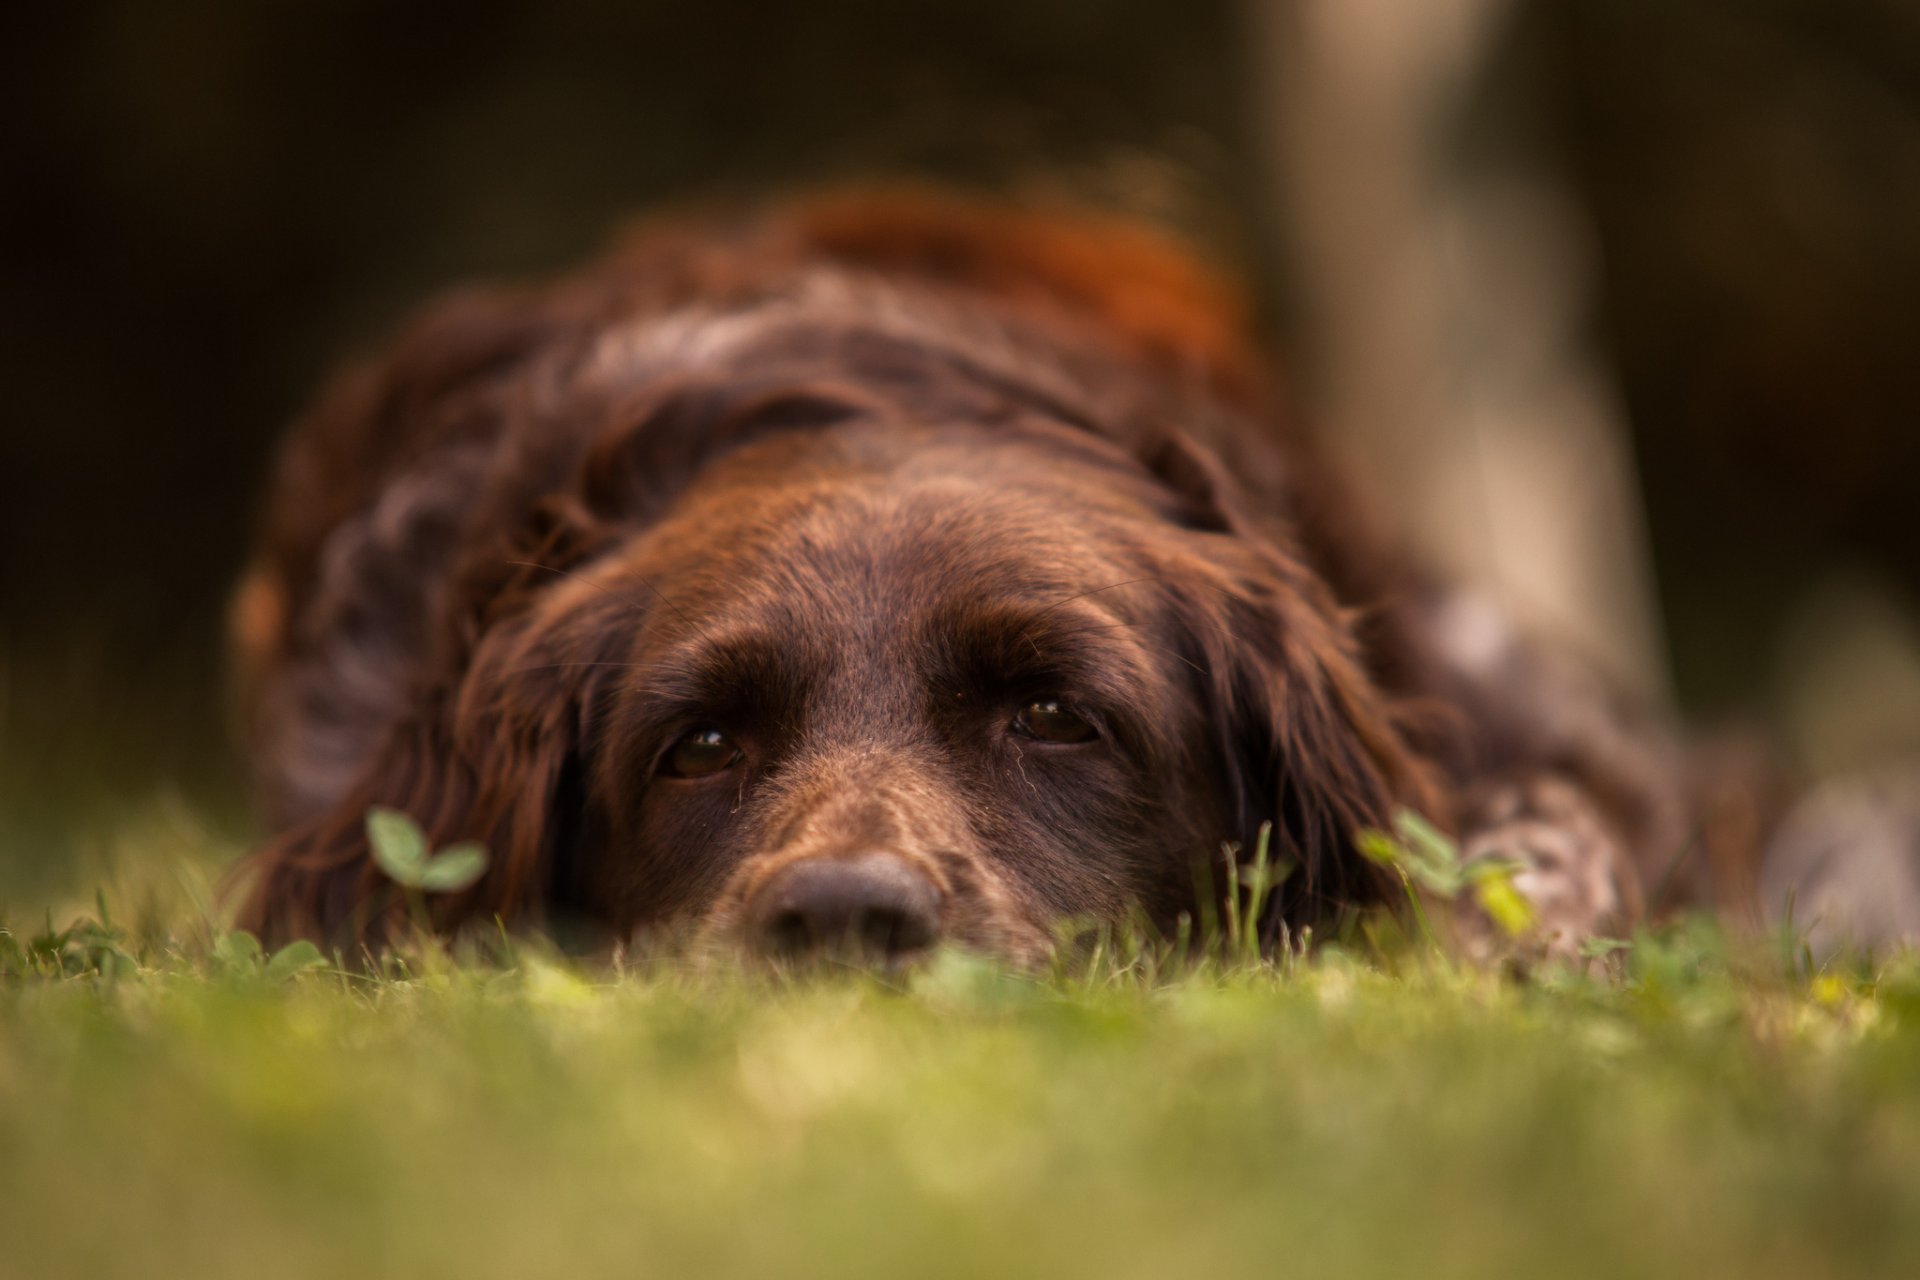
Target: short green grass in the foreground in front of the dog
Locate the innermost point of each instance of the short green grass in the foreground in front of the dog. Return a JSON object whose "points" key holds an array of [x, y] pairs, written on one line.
{"points": [[178, 1108]]}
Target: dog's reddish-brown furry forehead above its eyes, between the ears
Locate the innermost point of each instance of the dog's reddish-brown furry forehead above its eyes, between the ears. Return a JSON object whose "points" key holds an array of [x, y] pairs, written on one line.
{"points": [[915, 565]]}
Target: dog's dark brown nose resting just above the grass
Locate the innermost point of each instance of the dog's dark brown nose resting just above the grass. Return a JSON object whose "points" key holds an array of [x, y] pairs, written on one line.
{"points": [[873, 909]]}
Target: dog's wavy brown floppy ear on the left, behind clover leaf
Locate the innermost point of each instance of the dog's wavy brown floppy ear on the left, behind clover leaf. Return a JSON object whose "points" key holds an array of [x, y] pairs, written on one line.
{"points": [[483, 757]]}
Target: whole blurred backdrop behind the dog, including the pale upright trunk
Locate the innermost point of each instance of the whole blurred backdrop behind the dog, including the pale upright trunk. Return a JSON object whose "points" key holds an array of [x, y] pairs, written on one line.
{"points": [[1618, 302]]}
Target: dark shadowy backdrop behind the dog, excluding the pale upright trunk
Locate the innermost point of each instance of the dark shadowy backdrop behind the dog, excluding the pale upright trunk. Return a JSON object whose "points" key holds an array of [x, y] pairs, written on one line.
{"points": [[204, 206]]}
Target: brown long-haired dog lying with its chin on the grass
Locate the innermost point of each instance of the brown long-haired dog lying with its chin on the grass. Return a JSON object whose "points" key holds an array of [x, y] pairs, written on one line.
{"points": [[873, 573]]}
